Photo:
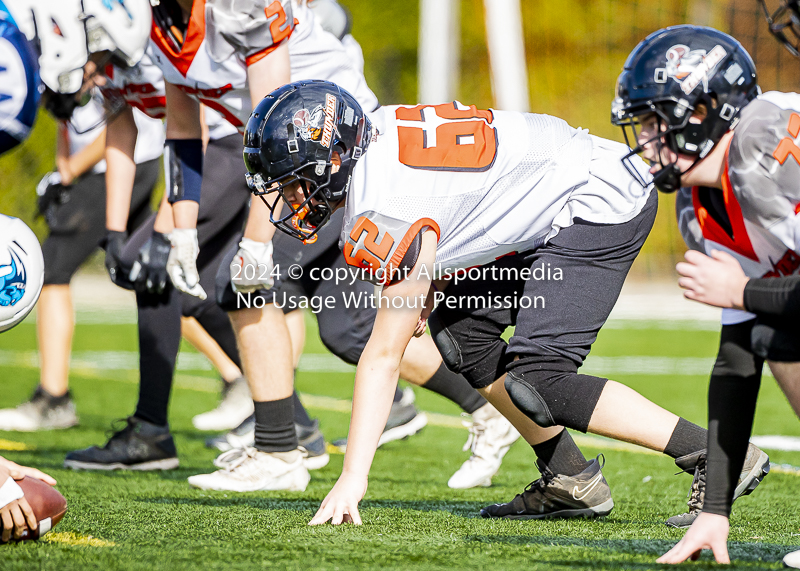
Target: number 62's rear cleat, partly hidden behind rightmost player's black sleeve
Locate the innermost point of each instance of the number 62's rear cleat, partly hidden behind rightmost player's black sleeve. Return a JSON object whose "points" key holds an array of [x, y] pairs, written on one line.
{"points": [[756, 467]]}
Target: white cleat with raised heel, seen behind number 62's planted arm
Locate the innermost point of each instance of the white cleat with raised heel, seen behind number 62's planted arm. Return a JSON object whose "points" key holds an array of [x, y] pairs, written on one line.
{"points": [[490, 437]]}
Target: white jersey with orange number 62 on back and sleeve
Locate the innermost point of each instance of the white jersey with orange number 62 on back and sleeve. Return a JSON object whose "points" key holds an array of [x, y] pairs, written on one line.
{"points": [[487, 182]]}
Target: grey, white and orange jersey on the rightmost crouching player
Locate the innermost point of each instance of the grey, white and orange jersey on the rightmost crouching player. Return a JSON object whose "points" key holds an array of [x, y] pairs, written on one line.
{"points": [[756, 216]]}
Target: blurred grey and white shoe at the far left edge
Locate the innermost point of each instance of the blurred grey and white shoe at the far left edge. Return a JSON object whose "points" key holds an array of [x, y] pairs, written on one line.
{"points": [[41, 412]]}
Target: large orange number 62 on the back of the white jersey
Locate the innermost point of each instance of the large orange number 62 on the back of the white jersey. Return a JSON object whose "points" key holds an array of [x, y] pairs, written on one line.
{"points": [[444, 139]]}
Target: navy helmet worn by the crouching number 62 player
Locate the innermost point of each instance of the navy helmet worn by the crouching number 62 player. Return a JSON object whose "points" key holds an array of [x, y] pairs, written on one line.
{"points": [[290, 137]]}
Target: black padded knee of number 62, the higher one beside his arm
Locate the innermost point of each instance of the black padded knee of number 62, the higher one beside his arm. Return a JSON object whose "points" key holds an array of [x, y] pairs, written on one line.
{"points": [[470, 346]]}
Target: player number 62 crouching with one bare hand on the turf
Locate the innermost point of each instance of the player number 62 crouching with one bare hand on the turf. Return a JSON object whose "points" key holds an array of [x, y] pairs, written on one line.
{"points": [[459, 187]]}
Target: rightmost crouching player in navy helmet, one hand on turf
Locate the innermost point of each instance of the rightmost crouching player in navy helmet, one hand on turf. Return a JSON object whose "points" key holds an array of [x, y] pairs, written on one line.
{"points": [[732, 155]]}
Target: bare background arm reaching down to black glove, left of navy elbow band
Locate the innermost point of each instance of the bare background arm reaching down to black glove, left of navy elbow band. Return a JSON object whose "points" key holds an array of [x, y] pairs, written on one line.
{"points": [[121, 135]]}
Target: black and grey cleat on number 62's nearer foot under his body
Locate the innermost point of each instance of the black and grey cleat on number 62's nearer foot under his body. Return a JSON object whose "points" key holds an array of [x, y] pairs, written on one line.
{"points": [[557, 496]]}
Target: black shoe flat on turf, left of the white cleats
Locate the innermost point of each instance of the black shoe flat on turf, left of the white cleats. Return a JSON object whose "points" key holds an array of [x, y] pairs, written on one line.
{"points": [[139, 445]]}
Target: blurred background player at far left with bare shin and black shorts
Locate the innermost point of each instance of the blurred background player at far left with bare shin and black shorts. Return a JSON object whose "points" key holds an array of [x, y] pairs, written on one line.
{"points": [[72, 200]]}
